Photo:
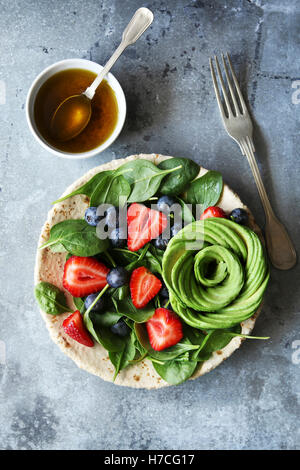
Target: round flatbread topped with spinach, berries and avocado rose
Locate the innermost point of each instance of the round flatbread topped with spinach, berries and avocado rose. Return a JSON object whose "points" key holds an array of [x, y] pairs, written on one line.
{"points": [[150, 271]]}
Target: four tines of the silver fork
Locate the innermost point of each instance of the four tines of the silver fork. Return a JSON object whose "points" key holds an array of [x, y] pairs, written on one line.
{"points": [[237, 110]]}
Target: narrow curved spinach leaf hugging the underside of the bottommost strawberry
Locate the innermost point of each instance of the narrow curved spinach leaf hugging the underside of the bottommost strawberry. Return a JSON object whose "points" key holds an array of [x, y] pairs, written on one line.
{"points": [[167, 354]]}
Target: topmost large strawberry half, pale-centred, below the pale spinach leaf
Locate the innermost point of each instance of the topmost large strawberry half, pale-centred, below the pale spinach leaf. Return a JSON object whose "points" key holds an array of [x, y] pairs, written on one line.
{"points": [[144, 224]]}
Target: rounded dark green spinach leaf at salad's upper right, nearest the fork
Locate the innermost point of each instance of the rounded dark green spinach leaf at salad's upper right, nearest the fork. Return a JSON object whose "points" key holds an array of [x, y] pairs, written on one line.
{"points": [[205, 190]]}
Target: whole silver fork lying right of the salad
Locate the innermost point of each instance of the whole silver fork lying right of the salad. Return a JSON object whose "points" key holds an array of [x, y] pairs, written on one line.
{"points": [[238, 125]]}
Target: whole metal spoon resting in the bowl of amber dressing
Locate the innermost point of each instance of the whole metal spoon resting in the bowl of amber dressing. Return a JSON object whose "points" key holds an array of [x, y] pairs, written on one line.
{"points": [[74, 113]]}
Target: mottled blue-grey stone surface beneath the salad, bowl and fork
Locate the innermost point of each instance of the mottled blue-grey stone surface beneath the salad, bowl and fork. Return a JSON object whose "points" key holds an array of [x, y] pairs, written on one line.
{"points": [[252, 400]]}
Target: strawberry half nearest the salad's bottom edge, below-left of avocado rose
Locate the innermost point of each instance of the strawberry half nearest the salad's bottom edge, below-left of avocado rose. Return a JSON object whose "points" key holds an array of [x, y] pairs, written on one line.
{"points": [[164, 329]]}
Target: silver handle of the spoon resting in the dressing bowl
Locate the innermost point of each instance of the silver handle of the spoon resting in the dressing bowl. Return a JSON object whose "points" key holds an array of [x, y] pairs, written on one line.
{"points": [[138, 24]]}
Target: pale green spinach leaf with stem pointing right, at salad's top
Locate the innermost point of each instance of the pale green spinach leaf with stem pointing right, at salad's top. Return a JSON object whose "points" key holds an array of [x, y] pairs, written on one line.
{"points": [[144, 177]]}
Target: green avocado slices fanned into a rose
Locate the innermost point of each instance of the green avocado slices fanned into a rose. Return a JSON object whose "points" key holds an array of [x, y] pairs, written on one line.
{"points": [[216, 272]]}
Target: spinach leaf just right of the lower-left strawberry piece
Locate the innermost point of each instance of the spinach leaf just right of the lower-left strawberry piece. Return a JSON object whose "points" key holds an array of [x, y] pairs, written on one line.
{"points": [[99, 326]]}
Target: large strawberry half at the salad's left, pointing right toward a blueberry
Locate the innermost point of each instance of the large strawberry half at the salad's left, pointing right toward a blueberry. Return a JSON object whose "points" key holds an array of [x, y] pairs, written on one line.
{"points": [[84, 275]]}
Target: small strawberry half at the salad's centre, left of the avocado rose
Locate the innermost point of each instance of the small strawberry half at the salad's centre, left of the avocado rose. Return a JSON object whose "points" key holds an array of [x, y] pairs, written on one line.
{"points": [[143, 286]]}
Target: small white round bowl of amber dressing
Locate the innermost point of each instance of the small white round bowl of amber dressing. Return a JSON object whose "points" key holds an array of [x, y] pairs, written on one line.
{"points": [[70, 77]]}
